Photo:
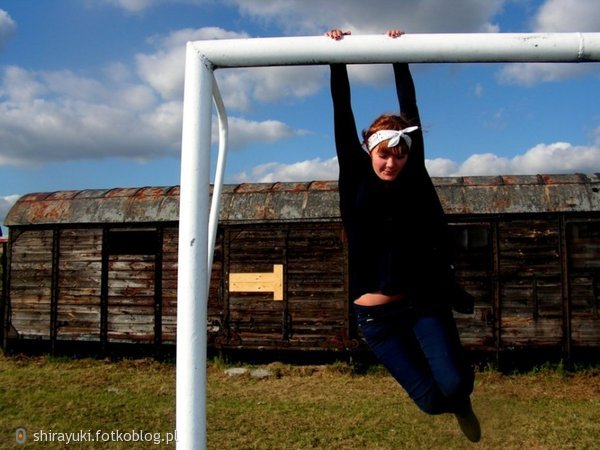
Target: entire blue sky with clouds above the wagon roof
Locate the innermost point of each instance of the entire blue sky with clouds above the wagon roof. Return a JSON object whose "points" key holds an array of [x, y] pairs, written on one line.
{"points": [[91, 91]]}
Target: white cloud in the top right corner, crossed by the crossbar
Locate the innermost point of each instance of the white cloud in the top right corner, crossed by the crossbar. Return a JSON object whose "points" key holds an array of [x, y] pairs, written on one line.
{"points": [[556, 16]]}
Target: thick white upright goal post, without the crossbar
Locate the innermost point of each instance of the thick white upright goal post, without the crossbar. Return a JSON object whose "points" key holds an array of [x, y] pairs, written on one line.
{"points": [[192, 281]]}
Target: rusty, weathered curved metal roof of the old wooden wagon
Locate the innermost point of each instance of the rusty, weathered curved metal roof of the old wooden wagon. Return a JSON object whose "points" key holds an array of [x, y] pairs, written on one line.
{"points": [[314, 201]]}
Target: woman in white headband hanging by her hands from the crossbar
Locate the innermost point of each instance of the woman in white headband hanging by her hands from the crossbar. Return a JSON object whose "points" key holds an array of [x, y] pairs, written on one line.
{"points": [[401, 275]]}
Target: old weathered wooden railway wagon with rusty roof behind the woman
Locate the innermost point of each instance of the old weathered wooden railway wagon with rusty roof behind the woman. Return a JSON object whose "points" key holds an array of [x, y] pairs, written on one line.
{"points": [[98, 268]]}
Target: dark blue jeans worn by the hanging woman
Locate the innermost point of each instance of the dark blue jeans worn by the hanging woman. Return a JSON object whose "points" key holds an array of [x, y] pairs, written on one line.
{"points": [[422, 352]]}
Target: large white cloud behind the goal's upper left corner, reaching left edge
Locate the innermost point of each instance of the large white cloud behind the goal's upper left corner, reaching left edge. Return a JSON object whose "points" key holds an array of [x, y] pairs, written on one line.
{"points": [[59, 115]]}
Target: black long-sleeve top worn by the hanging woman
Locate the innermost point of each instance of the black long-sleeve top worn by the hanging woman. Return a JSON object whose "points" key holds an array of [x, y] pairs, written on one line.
{"points": [[397, 232]]}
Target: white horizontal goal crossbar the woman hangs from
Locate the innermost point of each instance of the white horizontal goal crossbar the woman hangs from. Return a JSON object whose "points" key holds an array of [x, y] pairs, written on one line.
{"points": [[416, 48]]}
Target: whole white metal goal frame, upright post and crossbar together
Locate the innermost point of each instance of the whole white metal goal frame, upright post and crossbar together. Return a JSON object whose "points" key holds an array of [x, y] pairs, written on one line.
{"points": [[202, 58]]}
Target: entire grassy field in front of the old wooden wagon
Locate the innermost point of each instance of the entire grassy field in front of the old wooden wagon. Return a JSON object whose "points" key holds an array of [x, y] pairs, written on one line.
{"points": [[301, 407]]}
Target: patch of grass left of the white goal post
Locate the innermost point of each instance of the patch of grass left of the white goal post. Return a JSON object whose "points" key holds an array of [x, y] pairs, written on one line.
{"points": [[60, 395]]}
